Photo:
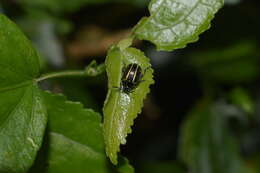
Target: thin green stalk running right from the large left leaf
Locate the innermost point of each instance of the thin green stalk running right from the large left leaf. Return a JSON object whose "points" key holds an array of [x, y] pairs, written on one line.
{"points": [[62, 74]]}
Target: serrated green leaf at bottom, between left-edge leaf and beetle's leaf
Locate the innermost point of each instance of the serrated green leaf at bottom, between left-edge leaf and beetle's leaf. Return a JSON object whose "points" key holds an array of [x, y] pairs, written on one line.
{"points": [[75, 139]]}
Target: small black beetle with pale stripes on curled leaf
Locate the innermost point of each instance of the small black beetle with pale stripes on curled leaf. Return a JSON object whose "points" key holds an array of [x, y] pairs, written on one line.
{"points": [[132, 75]]}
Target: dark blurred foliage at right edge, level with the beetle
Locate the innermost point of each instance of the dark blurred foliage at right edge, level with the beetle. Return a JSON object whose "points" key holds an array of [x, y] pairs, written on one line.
{"points": [[233, 64]]}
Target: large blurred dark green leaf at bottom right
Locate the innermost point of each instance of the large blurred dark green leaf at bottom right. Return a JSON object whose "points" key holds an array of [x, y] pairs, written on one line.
{"points": [[206, 145]]}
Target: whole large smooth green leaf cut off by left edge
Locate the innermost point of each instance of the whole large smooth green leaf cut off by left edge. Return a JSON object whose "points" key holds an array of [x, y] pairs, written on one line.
{"points": [[22, 112]]}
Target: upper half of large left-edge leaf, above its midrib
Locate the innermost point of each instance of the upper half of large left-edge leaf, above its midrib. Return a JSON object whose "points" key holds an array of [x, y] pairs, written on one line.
{"points": [[19, 62]]}
